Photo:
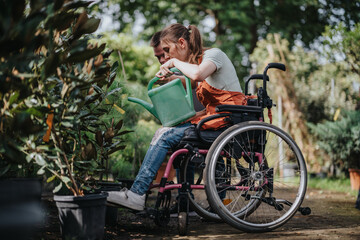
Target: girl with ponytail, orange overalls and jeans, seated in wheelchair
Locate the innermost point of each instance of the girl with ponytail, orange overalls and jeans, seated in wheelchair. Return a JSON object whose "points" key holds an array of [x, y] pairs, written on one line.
{"points": [[217, 84]]}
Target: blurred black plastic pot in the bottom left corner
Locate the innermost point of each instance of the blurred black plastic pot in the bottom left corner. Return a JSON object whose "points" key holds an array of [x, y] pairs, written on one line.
{"points": [[21, 213]]}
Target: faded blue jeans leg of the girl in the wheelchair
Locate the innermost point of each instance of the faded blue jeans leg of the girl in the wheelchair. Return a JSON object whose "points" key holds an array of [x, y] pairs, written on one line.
{"points": [[164, 139]]}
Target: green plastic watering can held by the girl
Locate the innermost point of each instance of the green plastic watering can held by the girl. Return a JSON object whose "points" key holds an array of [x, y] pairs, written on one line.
{"points": [[171, 104]]}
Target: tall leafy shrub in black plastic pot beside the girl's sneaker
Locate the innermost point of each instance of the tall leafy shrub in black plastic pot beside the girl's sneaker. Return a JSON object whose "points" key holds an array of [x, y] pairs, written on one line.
{"points": [[80, 134]]}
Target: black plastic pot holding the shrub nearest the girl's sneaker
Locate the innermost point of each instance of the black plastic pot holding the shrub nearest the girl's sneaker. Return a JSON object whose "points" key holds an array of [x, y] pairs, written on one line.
{"points": [[82, 217]]}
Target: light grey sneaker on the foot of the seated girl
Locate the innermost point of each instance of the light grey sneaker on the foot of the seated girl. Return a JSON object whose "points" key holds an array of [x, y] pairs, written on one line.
{"points": [[127, 199]]}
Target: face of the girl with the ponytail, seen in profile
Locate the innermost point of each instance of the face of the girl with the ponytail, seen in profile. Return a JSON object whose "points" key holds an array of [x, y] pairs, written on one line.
{"points": [[177, 50]]}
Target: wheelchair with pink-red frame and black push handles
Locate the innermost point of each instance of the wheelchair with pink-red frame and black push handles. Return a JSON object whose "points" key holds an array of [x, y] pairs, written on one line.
{"points": [[249, 174]]}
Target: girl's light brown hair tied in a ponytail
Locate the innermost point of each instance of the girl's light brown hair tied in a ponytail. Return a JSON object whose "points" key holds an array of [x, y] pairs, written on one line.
{"points": [[191, 34]]}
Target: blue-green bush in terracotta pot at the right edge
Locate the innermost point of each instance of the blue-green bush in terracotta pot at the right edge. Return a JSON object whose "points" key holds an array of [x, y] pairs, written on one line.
{"points": [[341, 141]]}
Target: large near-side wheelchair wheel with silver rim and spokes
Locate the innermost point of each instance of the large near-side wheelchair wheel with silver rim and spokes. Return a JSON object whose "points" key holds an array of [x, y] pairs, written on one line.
{"points": [[255, 176]]}
